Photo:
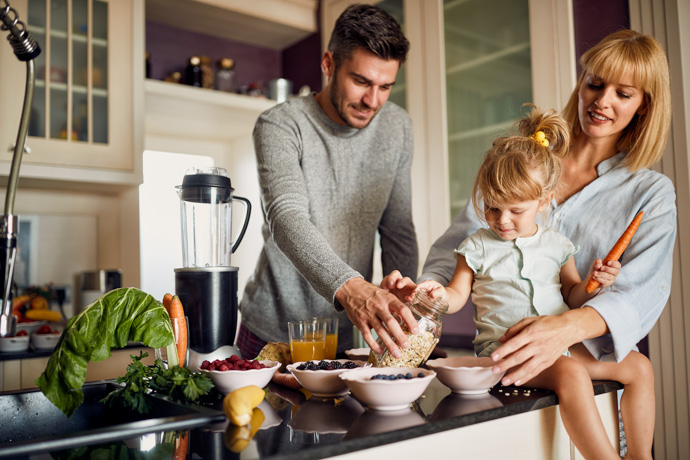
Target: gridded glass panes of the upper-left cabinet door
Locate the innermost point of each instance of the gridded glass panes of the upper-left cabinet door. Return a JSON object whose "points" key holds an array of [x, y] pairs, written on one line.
{"points": [[71, 96]]}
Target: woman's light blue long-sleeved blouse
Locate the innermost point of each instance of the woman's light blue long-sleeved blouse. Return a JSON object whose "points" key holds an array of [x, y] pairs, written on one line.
{"points": [[594, 218]]}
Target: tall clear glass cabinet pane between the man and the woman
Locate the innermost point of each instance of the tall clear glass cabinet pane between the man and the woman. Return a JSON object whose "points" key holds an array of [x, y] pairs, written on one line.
{"points": [[488, 78]]}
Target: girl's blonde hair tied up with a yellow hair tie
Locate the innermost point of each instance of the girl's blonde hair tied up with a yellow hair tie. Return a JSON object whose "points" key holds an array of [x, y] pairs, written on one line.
{"points": [[519, 168]]}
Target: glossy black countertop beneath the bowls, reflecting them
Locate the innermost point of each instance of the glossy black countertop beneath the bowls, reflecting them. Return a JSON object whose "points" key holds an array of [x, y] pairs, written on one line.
{"points": [[301, 428]]}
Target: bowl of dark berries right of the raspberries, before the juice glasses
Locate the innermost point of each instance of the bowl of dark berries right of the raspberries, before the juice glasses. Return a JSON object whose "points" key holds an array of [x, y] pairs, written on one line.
{"points": [[321, 377]]}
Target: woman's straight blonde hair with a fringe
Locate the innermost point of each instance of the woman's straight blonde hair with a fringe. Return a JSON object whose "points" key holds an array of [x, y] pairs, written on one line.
{"points": [[640, 56]]}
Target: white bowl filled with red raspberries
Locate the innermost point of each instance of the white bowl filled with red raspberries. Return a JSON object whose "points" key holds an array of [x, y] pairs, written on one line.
{"points": [[234, 372]]}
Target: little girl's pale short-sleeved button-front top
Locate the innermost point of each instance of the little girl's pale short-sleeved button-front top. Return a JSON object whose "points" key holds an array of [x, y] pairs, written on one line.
{"points": [[513, 279]]}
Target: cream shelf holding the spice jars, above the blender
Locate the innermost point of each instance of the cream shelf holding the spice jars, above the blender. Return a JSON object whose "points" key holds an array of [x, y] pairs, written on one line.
{"points": [[177, 110]]}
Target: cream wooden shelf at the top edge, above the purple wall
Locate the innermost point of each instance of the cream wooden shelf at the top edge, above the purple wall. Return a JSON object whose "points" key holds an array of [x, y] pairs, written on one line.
{"points": [[273, 24]]}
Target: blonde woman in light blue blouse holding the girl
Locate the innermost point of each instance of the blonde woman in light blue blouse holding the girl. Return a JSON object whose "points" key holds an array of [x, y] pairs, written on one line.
{"points": [[620, 115]]}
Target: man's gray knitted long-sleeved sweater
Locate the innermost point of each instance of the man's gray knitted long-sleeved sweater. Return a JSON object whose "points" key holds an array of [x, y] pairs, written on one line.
{"points": [[326, 190]]}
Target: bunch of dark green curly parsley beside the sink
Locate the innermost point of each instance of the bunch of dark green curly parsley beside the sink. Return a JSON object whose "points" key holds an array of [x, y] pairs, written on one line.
{"points": [[178, 383]]}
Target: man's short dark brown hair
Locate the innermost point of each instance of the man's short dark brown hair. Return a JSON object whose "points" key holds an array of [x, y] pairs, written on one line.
{"points": [[370, 28]]}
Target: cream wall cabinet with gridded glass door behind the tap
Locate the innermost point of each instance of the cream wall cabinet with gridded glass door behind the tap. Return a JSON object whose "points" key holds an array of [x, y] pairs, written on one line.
{"points": [[84, 111]]}
